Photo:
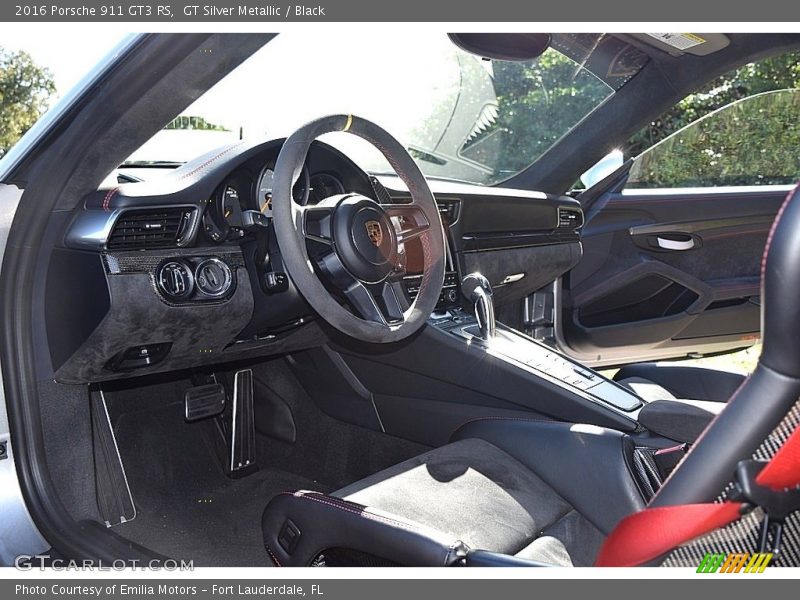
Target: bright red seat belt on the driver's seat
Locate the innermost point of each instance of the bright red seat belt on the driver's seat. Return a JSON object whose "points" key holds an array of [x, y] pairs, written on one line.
{"points": [[652, 532]]}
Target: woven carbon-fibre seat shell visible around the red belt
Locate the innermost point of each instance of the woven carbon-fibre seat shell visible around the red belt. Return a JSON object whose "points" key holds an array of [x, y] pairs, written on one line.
{"points": [[742, 536]]}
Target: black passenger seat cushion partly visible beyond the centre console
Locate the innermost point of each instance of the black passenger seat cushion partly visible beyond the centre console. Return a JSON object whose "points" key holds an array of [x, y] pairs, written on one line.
{"points": [[685, 382]]}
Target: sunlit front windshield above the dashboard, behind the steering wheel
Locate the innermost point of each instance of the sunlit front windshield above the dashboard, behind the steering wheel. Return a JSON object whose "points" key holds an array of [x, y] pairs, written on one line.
{"points": [[460, 117]]}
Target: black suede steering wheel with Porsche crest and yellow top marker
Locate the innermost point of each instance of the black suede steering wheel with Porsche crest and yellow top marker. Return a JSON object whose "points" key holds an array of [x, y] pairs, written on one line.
{"points": [[350, 248]]}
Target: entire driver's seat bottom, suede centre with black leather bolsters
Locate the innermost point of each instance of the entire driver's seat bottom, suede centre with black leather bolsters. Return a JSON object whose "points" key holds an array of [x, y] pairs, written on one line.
{"points": [[540, 490]]}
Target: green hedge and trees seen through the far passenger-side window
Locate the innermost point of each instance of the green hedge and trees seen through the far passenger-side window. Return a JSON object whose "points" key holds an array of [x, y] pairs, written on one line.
{"points": [[753, 138]]}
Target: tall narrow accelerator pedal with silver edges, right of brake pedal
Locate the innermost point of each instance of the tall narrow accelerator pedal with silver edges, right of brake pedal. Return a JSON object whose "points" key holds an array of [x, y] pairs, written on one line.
{"points": [[243, 431]]}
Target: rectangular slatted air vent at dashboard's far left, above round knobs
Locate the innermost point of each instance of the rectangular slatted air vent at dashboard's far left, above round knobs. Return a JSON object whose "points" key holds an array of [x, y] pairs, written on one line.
{"points": [[151, 228]]}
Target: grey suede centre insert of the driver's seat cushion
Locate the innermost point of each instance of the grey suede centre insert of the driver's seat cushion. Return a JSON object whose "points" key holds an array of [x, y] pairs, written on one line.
{"points": [[484, 497]]}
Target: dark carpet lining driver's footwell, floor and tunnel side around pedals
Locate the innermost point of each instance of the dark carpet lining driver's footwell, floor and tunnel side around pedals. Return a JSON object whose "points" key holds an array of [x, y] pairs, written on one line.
{"points": [[187, 508]]}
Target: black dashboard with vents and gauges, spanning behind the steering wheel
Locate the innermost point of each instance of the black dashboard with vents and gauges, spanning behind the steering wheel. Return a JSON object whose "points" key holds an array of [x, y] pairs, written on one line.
{"points": [[184, 270]]}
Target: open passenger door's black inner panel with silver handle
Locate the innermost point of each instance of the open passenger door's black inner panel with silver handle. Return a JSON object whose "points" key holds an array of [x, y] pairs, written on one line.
{"points": [[666, 273]]}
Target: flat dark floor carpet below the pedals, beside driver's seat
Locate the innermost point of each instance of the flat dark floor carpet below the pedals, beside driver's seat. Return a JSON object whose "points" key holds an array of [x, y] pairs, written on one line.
{"points": [[187, 508]]}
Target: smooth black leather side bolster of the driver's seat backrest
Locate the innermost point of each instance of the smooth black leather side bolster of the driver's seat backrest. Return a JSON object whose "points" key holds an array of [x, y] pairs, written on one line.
{"points": [[768, 395]]}
